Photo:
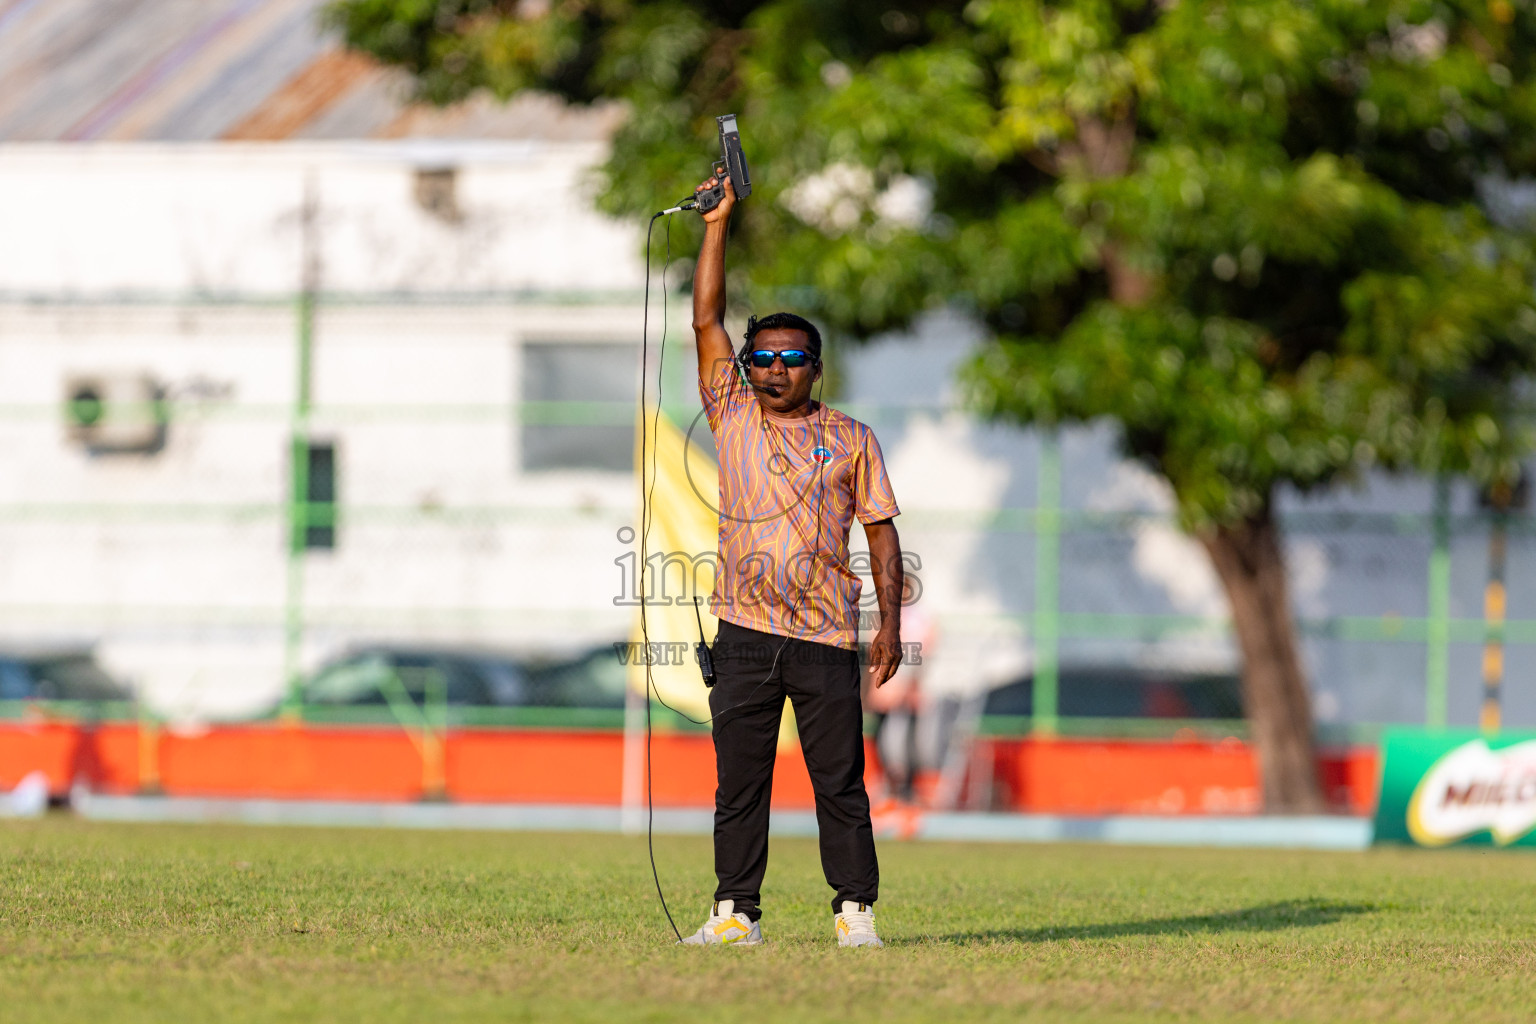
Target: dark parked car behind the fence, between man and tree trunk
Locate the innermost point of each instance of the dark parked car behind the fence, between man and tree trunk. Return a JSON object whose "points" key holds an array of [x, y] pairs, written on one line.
{"points": [[1127, 693]]}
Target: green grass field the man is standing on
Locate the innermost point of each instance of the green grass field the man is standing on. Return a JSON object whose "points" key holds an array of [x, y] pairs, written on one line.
{"points": [[204, 923]]}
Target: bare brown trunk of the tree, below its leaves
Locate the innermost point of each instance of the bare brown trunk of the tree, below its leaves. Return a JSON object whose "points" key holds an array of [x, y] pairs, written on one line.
{"points": [[1253, 569]]}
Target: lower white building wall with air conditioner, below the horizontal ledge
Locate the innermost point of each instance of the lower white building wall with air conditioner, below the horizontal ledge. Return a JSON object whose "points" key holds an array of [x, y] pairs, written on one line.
{"points": [[176, 561]]}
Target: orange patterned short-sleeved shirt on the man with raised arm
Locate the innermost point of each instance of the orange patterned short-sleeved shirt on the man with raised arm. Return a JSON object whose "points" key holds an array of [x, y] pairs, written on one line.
{"points": [[790, 491]]}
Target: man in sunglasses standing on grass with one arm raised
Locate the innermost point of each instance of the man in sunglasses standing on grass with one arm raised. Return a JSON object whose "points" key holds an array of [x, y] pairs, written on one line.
{"points": [[793, 477]]}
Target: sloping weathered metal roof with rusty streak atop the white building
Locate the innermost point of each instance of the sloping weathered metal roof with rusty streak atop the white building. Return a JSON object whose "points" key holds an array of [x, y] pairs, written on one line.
{"points": [[227, 70]]}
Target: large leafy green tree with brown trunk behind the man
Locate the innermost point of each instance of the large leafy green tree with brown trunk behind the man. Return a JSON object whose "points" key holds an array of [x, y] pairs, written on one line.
{"points": [[1246, 233]]}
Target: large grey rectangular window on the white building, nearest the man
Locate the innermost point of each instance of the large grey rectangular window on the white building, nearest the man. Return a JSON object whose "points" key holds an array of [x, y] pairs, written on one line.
{"points": [[578, 406]]}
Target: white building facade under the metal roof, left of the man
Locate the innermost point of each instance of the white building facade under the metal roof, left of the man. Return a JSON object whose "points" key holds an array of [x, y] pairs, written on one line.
{"points": [[180, 266]]}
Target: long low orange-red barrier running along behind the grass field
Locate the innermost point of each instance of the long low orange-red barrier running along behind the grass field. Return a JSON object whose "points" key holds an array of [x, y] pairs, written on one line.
{"points": [[1022, 775]]}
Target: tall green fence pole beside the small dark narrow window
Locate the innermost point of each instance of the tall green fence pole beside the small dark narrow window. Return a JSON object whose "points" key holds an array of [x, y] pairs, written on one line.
{"points": [[299, 464]]}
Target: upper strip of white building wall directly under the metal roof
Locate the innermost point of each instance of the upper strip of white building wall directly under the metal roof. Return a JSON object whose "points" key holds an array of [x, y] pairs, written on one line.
{"points": [[230, 219]]}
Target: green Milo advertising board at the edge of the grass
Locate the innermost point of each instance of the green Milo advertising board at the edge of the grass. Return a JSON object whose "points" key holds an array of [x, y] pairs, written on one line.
{"points": [[1442, 788]]}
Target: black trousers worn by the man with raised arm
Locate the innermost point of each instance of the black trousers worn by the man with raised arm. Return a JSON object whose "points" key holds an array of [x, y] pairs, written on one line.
{"points": [[747, 702]]}
